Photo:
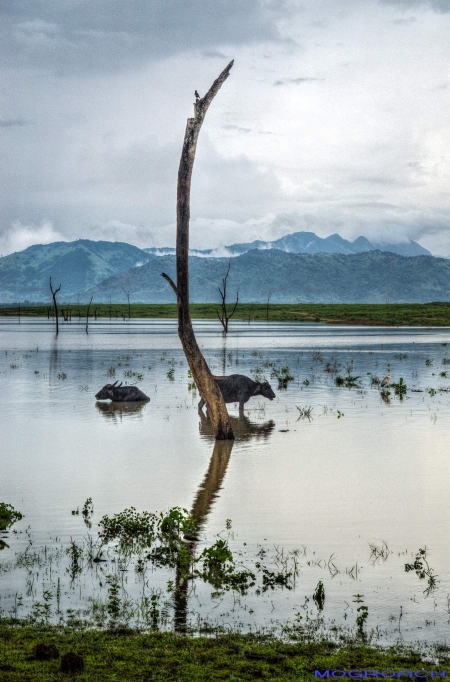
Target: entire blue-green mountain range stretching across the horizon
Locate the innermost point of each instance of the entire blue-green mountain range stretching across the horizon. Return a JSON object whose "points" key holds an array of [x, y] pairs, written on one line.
{"points": [[295, 268]]}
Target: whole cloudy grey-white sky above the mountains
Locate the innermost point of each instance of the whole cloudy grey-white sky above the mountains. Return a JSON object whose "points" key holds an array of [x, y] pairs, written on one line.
{"points": [[335, 118]]}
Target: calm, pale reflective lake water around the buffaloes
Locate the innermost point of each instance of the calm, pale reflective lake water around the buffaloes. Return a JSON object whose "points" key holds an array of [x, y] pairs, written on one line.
{"points": [[361, 471]]}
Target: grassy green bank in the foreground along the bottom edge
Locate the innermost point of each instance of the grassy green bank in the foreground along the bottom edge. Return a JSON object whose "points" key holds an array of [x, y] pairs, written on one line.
{"points": [[116, 656]]}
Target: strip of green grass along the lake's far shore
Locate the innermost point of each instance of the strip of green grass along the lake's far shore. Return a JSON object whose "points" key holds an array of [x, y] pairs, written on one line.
{"points": [[421, 314]]}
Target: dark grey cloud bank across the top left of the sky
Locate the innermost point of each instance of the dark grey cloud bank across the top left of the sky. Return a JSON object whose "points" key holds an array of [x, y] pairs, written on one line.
{"points": [[107, 35]]}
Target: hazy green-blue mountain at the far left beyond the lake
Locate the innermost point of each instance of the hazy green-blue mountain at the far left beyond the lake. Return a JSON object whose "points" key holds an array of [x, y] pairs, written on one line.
{"points": [[77, 266]]}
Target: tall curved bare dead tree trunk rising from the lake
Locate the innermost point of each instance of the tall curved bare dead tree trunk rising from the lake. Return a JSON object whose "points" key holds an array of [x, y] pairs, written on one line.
{"points": [[201, 373]]}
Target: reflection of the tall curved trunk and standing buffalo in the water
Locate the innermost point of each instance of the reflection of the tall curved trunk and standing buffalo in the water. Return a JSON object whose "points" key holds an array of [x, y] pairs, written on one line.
{"points": [[207, 493]]}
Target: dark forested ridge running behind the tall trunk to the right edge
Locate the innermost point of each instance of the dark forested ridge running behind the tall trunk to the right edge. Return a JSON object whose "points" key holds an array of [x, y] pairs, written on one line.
{"points": [[368, 277]]}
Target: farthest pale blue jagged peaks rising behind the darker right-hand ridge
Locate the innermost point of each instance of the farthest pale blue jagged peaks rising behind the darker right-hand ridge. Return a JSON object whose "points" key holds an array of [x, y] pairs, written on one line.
{"points": [[306, 242]]}
